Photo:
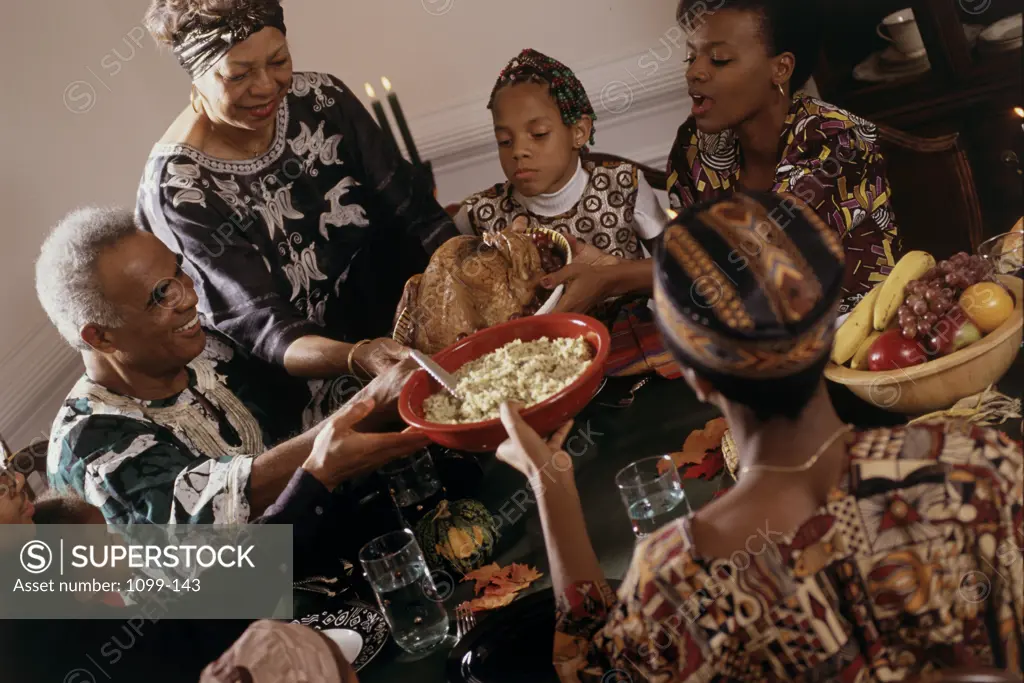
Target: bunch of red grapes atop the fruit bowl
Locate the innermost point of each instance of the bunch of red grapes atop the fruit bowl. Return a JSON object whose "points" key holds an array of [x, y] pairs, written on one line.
{"points": [[935, 293]]}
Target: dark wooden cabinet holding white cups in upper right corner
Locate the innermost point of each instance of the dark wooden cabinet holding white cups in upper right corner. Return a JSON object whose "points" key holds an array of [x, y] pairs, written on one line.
{"points": [[968, 91]]}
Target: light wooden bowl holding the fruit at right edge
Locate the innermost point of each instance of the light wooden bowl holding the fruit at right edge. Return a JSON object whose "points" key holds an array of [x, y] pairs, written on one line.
{"points": [[938, 385]]}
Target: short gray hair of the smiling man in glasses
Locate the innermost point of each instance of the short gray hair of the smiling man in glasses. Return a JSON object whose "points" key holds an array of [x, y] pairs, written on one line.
{"points": [[66, 273]]}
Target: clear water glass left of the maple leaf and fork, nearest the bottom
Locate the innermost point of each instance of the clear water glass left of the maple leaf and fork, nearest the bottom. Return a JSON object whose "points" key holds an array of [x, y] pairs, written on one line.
{"points": [[396, 569]]}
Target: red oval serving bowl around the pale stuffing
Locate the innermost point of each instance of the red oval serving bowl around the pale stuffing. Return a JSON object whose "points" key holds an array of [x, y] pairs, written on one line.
{"points": [[546, 417]]}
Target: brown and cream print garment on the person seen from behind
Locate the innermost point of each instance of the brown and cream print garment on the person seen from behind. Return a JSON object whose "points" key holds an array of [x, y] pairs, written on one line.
{"points": [[914, 565]]}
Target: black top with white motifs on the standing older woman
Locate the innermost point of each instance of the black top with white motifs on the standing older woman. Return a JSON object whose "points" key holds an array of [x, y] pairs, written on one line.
{"points": [[318, 236]]}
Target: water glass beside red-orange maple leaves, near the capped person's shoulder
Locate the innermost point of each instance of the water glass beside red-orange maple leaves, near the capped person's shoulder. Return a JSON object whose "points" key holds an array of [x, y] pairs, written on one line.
{"points": [[653, 494]]}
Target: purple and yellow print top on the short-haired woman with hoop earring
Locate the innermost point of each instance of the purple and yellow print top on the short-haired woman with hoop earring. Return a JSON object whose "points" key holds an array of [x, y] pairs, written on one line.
{"points": [[831, 159]]}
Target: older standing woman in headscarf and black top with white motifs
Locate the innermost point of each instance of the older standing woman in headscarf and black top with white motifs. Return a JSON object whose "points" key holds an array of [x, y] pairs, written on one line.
{"points": [[298, 223]]}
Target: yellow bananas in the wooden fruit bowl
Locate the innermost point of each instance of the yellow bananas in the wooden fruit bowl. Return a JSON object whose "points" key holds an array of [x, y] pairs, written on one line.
{"points": [[877, 311]]}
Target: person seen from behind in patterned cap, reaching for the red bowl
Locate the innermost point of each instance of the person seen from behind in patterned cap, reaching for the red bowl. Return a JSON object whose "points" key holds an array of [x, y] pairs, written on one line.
{"points": [[898, 552]]}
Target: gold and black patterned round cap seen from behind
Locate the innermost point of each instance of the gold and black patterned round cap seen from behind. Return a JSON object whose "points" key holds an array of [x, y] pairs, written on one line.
{"points": [[749, 287]]}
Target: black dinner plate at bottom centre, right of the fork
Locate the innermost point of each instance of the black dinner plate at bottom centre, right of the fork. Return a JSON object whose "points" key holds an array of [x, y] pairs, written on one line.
{"points": [[509, 646]]}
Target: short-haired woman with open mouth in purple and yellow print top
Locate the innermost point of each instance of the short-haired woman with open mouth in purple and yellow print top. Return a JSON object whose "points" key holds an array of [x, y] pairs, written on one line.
{"points": [[750, 130]]}
